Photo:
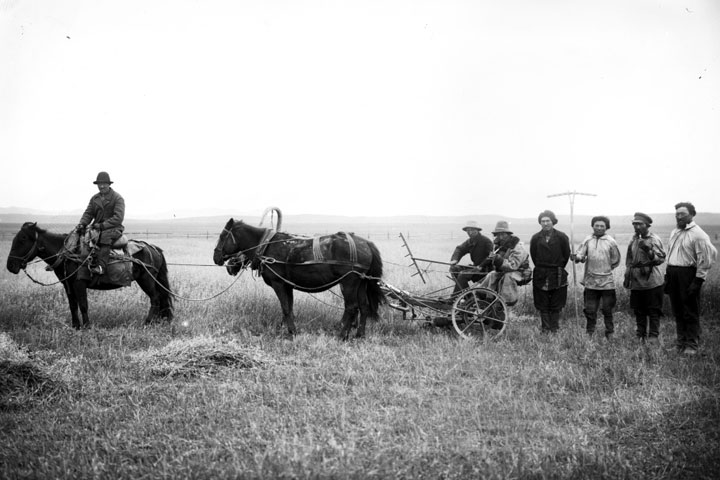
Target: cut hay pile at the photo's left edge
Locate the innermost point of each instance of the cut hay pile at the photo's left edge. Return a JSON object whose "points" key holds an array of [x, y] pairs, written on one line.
{"points": [[22, 379]]}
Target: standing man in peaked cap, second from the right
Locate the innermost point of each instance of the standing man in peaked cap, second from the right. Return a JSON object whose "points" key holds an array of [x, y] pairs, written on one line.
{"points": [[643, 277]]}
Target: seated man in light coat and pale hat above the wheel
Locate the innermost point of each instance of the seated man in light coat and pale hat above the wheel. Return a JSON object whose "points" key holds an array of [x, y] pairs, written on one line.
{"points": [[509, 261]]}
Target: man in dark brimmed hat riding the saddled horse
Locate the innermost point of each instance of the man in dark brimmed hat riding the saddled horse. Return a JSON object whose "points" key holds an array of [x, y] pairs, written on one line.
{"points": [[106, 211]]}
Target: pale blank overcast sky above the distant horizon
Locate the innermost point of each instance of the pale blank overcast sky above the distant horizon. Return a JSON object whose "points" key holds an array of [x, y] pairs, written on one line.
{"points": [[384, 107]]}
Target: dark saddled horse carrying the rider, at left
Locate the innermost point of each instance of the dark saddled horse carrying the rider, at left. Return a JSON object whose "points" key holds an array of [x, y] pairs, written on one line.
{"points": [[149, 270]]}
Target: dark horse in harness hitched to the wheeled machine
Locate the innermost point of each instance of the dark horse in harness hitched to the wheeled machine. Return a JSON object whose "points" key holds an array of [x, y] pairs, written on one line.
{"points": [[287, 262]]}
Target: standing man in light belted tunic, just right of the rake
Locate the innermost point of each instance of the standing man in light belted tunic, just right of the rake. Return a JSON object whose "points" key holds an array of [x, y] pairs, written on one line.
{"points": [[601, 255]]}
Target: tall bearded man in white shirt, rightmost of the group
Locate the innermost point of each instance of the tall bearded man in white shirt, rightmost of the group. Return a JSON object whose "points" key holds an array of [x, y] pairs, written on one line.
{"points": [[690, 255]]}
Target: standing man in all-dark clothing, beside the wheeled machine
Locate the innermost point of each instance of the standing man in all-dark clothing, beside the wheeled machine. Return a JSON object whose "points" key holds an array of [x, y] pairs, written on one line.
{"points": [[550, 252]]}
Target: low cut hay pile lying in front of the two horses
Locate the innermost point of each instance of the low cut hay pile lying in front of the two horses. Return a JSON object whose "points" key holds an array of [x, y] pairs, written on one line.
{"points": [[199, 356]]}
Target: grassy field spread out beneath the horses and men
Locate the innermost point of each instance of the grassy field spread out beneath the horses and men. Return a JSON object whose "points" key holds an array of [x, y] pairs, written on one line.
{"points": [[222, 394]]}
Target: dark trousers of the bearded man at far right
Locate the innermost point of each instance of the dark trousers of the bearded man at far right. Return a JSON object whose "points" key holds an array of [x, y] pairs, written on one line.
{"points": [[685, 307]]}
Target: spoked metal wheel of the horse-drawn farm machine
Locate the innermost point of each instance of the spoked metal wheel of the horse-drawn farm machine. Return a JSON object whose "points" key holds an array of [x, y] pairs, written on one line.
{"points": [[479, 313]]}
